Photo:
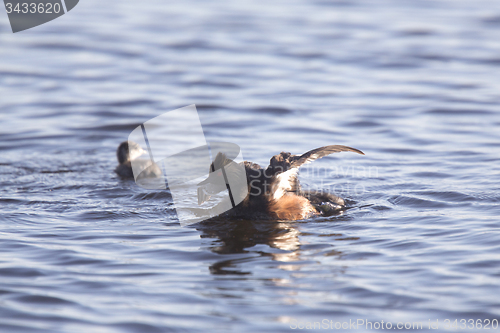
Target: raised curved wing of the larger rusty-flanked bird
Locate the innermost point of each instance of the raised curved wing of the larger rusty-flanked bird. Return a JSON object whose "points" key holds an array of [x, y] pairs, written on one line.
{"points": [[285, 167]]}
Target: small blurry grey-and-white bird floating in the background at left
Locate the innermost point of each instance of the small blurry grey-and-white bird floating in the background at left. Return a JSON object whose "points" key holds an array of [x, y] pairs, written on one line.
{"points": [[129, 151]]}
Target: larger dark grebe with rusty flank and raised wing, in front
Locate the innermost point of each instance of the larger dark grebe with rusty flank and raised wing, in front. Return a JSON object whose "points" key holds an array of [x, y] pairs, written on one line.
{"points": [[275, 192]]}
